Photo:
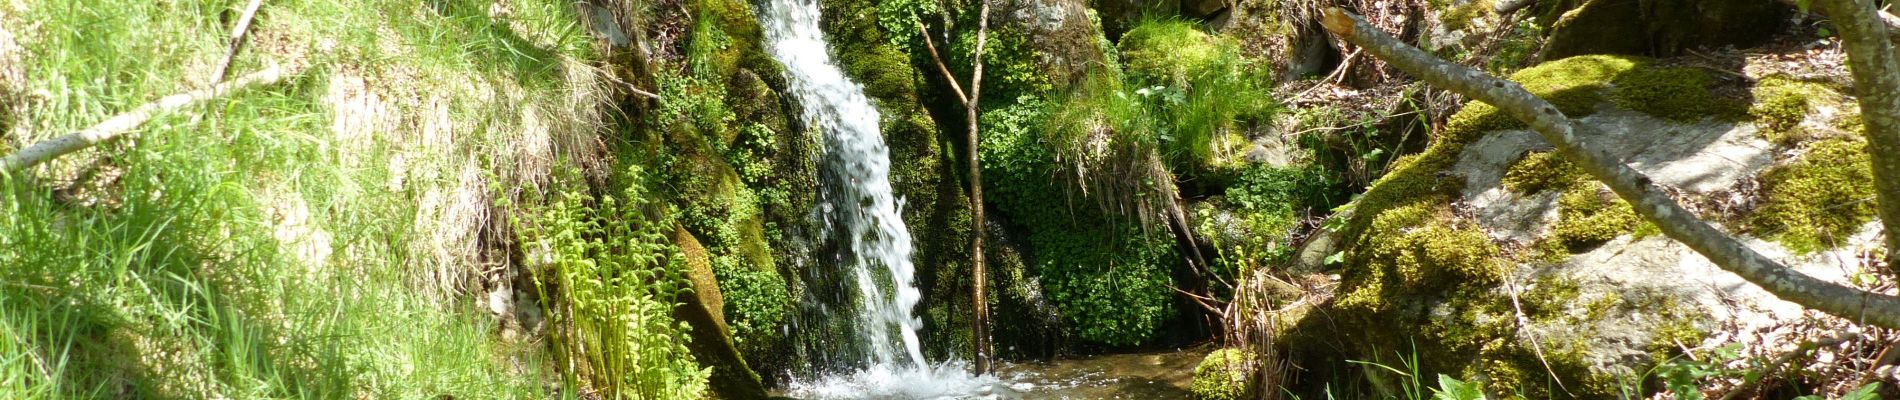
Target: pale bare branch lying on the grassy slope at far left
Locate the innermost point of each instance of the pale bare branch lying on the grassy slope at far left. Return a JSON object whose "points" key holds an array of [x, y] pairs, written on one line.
{"points": [[121, 124]]}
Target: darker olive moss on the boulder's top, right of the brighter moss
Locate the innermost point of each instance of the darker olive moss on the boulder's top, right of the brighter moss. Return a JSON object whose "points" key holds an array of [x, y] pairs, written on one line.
{"points": [[1677, 94]]}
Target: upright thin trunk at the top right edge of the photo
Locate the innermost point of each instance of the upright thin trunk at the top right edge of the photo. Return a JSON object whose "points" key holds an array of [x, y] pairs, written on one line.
{"points": [[1871, 58]]}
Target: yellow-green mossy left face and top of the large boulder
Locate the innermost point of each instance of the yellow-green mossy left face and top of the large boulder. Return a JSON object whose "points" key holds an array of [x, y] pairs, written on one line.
{"points": [[1424, 276]]}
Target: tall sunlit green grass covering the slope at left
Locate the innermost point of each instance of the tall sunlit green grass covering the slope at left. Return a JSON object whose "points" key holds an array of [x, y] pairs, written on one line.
{"points": [[248, 249]]}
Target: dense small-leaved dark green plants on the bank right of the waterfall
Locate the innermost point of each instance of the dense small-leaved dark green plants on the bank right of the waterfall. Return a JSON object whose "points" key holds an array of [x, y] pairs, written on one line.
{"points": [[1111, 280]]}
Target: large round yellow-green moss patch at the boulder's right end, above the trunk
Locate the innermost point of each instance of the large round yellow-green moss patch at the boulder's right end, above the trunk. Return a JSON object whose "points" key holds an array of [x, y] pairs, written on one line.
{"points": [[1821, 198]]}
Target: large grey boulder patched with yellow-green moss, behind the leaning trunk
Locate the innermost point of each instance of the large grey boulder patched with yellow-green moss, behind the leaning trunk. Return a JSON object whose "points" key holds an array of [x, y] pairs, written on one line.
{"points": [[1494, 261]]}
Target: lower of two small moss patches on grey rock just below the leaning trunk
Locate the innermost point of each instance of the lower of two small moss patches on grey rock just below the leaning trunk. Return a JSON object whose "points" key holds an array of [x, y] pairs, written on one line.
{"points": [[1589, 215]]}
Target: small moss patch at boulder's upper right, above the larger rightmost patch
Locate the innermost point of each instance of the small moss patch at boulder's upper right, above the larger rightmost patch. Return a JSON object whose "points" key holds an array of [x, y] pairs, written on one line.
{"points": [[1783, 103]]}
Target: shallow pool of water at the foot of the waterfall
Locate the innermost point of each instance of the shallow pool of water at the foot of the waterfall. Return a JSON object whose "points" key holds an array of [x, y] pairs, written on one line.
{"points": [[1162, 374]]}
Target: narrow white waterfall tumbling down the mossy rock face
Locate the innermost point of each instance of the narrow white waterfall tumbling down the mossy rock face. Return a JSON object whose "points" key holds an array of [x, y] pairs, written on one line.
{"points": [[864, 215]]}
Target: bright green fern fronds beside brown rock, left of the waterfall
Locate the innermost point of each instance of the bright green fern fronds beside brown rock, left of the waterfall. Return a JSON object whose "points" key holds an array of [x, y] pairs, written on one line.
{"points": [[611, 278]]}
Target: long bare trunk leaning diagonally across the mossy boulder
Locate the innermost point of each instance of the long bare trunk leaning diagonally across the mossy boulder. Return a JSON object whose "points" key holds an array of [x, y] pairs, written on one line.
{"points": [[1644, 196]]}
